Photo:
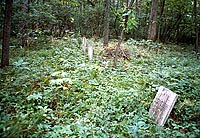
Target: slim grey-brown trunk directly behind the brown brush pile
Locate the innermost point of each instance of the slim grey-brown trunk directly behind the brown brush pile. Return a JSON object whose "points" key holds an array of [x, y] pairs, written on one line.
{"points": [[106, 24]]}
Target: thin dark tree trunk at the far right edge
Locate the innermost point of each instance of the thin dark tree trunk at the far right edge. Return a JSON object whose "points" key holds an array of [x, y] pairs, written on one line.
{"points": [[196, 27]]}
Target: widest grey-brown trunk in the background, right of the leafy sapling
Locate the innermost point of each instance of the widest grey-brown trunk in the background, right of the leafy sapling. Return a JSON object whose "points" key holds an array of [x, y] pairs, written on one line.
{"points": [[153, 16]]}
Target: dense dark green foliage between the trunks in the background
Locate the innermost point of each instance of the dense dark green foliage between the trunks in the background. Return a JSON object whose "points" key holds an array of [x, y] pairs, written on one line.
{"points": [[38, 20]]}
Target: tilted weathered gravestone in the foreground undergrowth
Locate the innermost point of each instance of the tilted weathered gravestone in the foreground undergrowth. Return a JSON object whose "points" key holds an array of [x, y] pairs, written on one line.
{"points": [[162, 105]]}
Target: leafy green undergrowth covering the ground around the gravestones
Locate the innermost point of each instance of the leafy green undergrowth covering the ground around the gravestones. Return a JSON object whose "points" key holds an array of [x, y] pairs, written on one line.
{"points": [[54, 91]]}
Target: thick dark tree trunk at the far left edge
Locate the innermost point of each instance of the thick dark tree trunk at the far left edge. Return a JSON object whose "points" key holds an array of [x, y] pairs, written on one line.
{"points": [[6, 34]]}
